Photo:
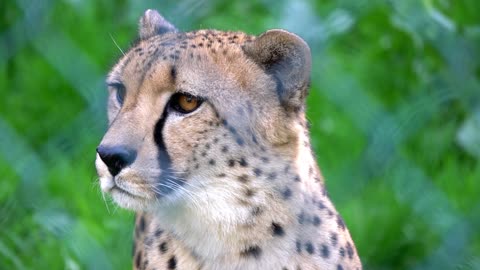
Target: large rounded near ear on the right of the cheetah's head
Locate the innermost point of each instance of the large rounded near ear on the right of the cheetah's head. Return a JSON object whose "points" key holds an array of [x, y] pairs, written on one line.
{"points": [[286, 57]]}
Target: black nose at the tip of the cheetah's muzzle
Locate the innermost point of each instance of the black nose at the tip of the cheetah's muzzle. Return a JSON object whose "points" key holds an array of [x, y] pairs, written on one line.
{"points": [[116, 157]]}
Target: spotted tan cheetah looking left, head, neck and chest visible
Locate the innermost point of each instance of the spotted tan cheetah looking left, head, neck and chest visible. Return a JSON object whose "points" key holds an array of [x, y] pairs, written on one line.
{"points": [[209, 144]]}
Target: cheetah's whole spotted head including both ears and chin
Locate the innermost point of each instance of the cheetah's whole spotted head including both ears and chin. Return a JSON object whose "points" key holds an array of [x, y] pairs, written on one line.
{"points": [[184, 107]]}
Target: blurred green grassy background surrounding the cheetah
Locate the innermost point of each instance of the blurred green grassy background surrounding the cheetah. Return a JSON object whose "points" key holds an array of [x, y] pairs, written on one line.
{"points": [[394, 106]]}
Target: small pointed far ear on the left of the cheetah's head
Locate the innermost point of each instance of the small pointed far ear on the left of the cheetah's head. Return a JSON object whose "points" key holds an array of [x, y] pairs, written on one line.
{"points": [[152, 24]]}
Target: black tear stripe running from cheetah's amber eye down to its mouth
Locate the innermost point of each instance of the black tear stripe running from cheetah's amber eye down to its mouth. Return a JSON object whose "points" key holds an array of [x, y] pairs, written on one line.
{"points": [[167, 177]]}
